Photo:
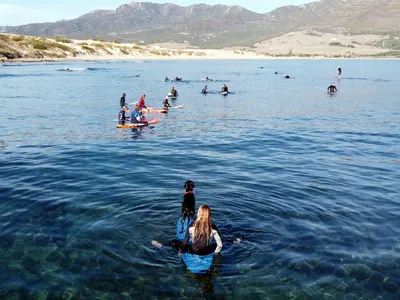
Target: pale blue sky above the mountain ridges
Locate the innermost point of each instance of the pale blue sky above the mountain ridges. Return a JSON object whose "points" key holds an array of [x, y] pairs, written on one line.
{"points": [[18, 12]]}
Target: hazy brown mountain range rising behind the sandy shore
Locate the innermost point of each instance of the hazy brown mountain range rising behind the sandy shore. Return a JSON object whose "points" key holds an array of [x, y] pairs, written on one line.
{"points": [[219, 26]]}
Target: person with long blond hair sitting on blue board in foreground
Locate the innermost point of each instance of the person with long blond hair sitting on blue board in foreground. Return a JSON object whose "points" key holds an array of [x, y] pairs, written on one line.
{"points": [[202, 233]]}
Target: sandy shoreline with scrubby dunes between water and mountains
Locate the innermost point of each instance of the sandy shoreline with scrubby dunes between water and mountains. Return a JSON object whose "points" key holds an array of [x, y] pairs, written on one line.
{"points": [[18, 48]]}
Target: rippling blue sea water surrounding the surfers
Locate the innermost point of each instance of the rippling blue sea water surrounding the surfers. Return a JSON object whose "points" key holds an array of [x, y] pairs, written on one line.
{"points": [[307, 182]]}
